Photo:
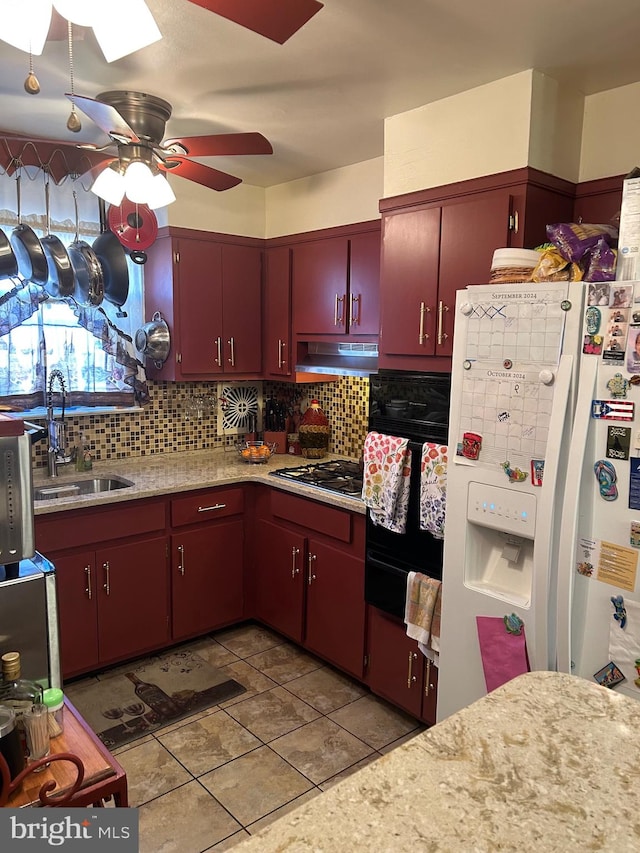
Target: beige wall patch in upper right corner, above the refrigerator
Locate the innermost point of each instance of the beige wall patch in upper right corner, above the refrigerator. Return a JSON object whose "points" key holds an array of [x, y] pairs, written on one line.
{"points": [[611, 137]]}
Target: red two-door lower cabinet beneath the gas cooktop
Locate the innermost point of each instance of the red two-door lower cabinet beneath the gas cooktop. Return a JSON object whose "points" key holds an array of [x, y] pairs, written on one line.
{"points": [[309, 585]]}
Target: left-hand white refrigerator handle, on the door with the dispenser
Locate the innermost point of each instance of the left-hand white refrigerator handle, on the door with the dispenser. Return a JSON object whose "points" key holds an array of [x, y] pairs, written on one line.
{"points": [[543, 551]]}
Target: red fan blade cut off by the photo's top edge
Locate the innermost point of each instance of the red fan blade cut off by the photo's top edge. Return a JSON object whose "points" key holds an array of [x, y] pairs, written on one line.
{"points": [[278, 20]]}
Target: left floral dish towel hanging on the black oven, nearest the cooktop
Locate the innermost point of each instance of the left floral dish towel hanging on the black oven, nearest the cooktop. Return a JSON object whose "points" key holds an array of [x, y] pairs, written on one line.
{"points": [[385, 484]]}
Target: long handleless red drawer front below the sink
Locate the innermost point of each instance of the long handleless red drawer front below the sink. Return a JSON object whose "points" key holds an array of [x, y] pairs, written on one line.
{"points": [[59, 531]]}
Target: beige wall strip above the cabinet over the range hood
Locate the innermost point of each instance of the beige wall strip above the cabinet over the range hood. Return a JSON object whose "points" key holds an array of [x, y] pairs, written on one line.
{"points": [[338, 197]]}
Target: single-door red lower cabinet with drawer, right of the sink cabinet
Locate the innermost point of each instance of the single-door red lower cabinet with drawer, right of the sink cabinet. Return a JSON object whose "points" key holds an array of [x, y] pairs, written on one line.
{"points": [[206, 561]]}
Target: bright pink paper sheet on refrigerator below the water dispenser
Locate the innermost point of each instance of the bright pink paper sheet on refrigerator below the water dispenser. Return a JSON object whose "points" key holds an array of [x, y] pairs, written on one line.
{"points": [[504, 655]]}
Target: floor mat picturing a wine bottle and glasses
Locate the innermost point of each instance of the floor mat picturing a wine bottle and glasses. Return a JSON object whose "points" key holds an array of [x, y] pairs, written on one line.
{"points": [[127, 704]]}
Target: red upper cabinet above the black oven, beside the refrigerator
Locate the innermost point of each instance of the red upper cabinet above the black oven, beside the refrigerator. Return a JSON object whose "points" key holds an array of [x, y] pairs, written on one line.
{"points": [[436, 242]]}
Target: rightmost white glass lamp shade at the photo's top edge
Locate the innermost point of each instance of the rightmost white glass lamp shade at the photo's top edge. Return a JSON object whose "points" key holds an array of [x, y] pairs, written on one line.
{"points": [[129, 26]]}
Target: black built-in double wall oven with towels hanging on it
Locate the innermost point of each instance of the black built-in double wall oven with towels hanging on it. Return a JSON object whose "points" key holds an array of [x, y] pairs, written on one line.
{"points": [[414, 406]]}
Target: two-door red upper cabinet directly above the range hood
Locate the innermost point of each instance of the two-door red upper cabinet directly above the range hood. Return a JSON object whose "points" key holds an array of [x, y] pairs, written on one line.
{"points": [[336, 282]]}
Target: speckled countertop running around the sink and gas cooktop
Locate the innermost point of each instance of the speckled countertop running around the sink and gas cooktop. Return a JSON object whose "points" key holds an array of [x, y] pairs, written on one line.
{"points": [[168, 473]]}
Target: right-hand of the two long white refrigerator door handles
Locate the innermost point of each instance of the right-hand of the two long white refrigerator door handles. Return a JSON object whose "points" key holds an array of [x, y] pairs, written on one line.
{"points": [[569, 519]]}
